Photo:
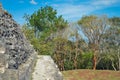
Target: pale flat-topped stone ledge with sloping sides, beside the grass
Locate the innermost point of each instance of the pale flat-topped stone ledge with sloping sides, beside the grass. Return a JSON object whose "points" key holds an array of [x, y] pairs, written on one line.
{"points": [[46, 69]]}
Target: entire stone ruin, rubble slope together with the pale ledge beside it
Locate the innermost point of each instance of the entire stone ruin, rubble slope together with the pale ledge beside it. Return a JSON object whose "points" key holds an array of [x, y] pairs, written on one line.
{"points": [[17, 56]]}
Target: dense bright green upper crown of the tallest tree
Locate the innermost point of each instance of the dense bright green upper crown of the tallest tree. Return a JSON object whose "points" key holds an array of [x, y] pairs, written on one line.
{"points": [[43, 18]]}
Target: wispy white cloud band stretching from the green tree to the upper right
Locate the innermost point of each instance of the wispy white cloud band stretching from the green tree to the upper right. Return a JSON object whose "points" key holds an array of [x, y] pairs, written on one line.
{"points": [[72, 11]]}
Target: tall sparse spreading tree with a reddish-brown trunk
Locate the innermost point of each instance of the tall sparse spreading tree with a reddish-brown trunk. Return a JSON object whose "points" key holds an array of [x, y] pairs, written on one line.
{"points": [[94, 28]]}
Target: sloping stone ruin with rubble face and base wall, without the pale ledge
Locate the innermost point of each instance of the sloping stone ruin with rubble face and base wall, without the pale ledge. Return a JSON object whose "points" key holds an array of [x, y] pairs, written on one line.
{"points": [[17, 57]]}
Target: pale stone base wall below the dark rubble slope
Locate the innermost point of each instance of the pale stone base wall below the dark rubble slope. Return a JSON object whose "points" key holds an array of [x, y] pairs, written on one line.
{"points": [[24, 72]]}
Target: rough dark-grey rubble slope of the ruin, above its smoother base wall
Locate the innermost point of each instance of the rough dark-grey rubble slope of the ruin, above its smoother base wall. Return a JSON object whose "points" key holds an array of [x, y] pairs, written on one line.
{"points": [[12, 41]]}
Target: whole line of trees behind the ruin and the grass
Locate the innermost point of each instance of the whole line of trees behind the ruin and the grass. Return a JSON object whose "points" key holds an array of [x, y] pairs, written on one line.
{"points": [[93, 42]]}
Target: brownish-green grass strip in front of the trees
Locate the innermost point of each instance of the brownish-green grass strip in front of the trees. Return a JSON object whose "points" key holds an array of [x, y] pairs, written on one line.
{"points": [[86, 74]]}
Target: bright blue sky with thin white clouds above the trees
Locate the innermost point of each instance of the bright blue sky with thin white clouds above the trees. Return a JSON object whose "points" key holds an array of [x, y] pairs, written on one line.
{"points": [[72, 10]]}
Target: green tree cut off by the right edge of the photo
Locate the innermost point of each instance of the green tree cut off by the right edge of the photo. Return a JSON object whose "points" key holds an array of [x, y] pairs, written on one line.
{"points": [[112, 42]]}
